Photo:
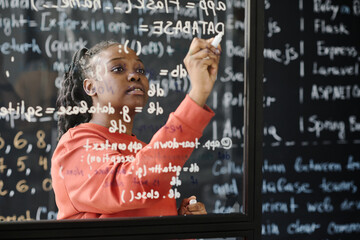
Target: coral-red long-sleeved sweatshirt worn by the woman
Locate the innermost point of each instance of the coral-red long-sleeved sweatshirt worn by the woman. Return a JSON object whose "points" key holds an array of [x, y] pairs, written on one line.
{"points": [[99, 174]]}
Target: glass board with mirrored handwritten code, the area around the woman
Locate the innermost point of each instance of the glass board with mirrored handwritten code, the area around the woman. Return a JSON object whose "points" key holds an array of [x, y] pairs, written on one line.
{"points": [[38, 39]]}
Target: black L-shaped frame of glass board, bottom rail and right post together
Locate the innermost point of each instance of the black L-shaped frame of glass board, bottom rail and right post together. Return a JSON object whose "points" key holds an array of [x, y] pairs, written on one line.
{"points": [[246, 225]]}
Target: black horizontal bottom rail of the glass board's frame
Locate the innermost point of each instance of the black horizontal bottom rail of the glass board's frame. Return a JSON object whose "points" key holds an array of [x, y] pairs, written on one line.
{"points": [[141, 228]]}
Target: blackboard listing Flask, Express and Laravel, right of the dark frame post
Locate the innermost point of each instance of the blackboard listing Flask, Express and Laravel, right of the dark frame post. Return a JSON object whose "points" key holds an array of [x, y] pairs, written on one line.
{"points": [[311, 120]]}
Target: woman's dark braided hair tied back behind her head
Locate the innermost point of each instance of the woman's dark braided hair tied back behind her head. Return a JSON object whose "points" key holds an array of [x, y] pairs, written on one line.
{"points": [[72, 92]]}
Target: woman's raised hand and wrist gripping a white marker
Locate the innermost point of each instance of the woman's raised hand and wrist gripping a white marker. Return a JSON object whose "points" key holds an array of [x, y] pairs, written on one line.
{"points": [[202, 64]]}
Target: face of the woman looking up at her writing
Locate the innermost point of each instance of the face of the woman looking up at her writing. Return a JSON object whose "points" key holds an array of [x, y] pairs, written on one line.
{"points": [[120, 78]]}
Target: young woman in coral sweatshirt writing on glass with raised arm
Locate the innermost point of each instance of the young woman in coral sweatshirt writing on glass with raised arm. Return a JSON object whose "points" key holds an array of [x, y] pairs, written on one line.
{"points": [[99, 168]]}
